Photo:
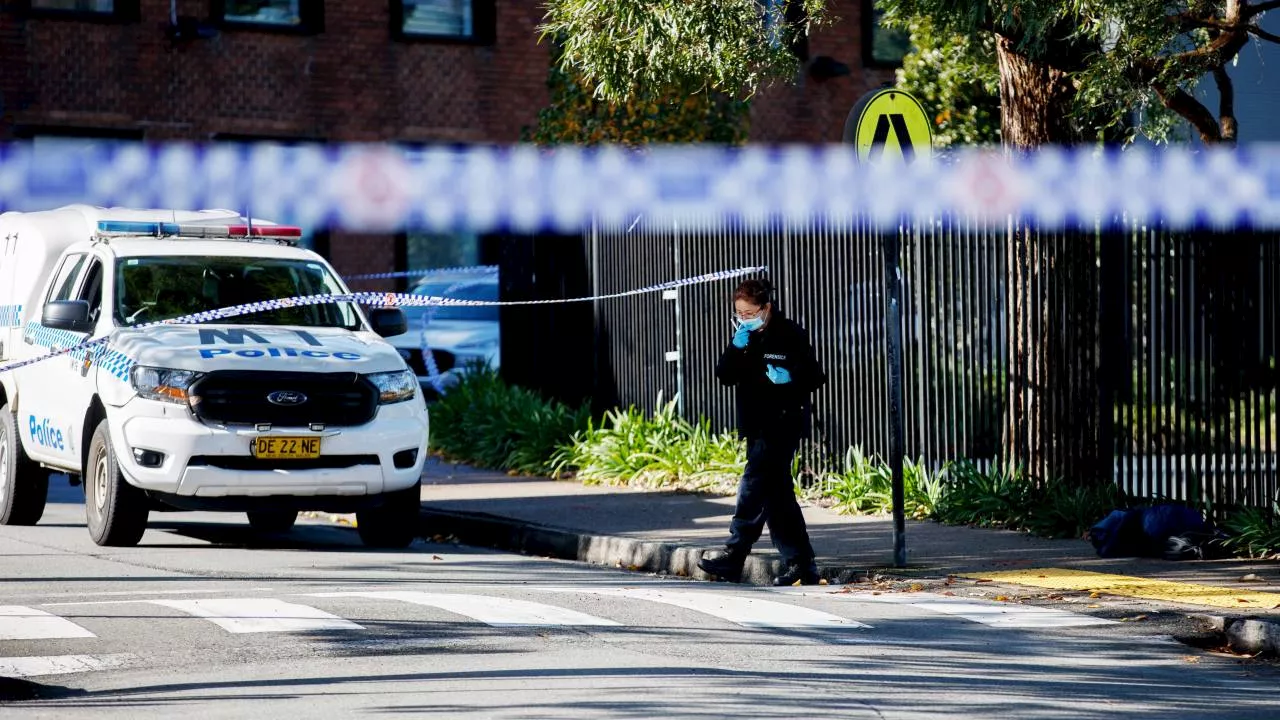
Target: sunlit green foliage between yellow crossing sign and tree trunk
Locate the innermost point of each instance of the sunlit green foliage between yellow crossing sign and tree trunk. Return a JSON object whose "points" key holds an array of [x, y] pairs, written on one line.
{"points": [[957, 79]]}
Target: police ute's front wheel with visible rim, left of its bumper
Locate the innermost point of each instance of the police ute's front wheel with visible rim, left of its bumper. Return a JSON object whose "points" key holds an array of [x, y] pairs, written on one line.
{"points": [[116, 511]]}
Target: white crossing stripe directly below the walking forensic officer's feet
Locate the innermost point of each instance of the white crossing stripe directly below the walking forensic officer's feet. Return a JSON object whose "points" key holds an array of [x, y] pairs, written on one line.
{"points": [[747, 612]]}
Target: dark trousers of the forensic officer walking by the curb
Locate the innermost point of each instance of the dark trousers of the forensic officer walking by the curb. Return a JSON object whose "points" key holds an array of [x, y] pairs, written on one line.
{"points": [[766, 496]]}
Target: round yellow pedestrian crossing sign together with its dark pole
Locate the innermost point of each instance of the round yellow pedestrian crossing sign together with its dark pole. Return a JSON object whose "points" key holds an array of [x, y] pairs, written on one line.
{"points": [[880, 117]]}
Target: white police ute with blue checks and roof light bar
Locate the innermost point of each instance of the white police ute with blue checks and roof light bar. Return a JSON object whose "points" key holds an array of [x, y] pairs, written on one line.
{"points": [[287, 409]]}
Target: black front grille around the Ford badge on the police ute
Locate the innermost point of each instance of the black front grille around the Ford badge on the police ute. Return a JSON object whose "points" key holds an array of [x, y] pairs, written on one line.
{"points": [[240, 398]]}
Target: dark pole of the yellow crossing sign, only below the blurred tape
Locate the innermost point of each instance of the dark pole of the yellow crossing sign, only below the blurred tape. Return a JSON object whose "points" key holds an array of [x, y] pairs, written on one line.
{"points": [[893, 243]]}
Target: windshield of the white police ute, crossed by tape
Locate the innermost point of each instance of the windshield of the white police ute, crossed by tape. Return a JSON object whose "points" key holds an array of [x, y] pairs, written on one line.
{"points": [[159, 289]]}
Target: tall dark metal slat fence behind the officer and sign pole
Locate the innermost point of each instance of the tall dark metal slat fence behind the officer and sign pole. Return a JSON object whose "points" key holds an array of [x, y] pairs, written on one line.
{"points": [[1145, 357]]}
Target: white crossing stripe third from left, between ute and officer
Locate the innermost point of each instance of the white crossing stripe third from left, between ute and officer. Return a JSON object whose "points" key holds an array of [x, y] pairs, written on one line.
{"points": [[496, 612]]}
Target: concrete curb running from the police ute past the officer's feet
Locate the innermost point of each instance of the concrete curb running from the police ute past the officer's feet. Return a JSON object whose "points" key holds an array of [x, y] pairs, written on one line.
{"points": [[516, 536]]}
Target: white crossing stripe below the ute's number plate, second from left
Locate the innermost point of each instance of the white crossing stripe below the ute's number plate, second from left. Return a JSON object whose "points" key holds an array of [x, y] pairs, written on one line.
{"points": [[259, 616]]}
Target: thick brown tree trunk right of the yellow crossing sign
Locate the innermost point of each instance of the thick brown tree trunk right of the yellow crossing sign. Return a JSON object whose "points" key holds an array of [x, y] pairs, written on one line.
{"points": [[1053, 412]]}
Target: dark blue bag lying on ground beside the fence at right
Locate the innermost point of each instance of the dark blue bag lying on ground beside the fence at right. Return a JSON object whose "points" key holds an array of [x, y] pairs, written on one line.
{"points": [[1146, 532]]}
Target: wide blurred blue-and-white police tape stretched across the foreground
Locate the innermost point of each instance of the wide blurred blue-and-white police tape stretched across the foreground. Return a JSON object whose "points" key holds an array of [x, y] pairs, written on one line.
{"points": [[570, 190]]}
